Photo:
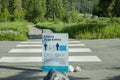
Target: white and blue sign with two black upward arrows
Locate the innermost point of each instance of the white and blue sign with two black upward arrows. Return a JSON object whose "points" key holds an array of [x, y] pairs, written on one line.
{"points": [[55, 52]]}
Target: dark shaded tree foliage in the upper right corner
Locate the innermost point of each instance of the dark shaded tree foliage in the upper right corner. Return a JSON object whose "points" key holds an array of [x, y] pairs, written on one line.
{"points": [[107, 8]]}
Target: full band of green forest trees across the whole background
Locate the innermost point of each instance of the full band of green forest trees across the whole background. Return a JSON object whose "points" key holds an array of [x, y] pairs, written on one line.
{"points": [[40, 10]]}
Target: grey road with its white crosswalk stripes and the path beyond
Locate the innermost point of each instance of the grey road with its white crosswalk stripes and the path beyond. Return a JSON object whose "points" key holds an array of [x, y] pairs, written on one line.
{"points": [[99, 59]]}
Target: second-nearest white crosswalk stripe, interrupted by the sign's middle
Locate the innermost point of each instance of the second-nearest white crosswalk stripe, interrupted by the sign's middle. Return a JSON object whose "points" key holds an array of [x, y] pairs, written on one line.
{"points": [[40, 50]]}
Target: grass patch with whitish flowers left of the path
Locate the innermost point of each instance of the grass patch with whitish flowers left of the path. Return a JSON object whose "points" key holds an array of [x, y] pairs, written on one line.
{"points": [[14, 31]]}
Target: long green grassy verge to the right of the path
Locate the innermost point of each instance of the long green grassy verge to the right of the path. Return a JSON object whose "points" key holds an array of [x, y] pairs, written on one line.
{"points": [[101, 28]]}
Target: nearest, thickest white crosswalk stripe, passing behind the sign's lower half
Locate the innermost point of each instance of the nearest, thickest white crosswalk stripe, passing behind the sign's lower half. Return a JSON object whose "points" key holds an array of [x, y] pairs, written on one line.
{"points": [[39, 59]]}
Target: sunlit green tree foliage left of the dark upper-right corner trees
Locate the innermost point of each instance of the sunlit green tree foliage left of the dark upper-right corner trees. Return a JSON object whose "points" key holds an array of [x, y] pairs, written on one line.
{"points": [[41, 10]]}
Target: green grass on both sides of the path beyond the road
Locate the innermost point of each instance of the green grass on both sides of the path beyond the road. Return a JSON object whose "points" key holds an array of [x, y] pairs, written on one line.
{"points": [[87, 28]]}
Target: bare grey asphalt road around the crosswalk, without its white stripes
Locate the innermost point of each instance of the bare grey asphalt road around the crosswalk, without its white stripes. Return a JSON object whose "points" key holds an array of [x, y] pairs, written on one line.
{"points": [[108, 50]]}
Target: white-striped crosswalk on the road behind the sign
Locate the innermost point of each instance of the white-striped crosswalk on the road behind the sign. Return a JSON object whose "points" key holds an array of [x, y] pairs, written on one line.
{"points": [[34, 48]]}
